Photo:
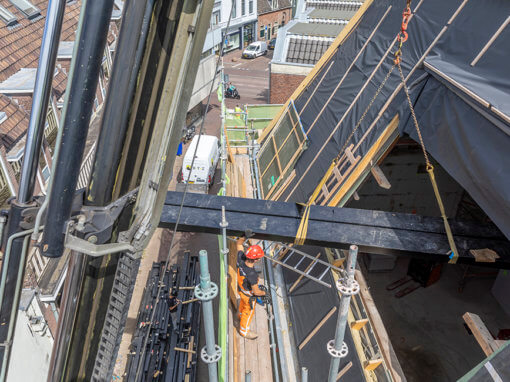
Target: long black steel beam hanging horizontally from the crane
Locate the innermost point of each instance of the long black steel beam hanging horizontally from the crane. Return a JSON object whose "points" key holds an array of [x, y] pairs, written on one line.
{"points": [[375, 232]]}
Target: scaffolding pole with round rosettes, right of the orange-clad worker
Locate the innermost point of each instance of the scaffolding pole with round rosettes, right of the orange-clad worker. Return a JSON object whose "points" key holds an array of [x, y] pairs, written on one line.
{"points": [[347, 287]]}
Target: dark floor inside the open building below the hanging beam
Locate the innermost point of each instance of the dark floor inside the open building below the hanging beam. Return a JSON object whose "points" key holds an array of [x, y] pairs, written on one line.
{"points": [[426, 327]]}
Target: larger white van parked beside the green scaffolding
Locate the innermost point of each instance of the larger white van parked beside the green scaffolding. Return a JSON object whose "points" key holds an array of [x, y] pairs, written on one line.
{"points": [[205, 162]]}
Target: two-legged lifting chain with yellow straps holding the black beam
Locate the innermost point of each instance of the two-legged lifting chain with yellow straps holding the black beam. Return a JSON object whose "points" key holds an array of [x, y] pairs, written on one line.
{"points": [[401, 38]]}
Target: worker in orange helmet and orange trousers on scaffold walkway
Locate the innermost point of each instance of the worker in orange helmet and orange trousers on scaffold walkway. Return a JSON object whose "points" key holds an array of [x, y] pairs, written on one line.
{"points": [[248, 285]]}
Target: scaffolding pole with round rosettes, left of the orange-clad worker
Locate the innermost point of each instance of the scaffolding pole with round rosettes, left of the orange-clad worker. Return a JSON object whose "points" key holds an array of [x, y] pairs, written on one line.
{"points": [[205, 292]]}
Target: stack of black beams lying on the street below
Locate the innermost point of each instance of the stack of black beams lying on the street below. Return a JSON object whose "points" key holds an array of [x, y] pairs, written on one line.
{"points": [[172, 337]]}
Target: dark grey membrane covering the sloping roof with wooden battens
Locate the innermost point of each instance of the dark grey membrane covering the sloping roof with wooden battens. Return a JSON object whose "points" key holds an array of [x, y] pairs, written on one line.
{"points": [[463, 110]]}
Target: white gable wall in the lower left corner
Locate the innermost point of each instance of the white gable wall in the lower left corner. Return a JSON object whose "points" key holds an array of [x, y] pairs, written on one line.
{"points": [[31, 350]]}
